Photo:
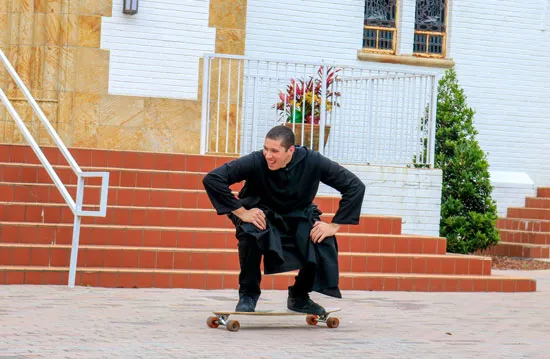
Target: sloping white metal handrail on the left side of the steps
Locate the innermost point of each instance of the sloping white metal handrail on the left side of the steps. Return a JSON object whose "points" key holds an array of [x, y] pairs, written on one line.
{"points": [[75, 205]]}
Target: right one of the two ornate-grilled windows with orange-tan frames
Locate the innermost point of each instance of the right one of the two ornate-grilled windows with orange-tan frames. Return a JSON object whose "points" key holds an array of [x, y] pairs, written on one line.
{"points": [[430, 28]]}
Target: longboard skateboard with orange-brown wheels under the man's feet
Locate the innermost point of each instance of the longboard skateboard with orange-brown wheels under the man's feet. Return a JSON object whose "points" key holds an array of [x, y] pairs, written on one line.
{"points": [[222, 318]]}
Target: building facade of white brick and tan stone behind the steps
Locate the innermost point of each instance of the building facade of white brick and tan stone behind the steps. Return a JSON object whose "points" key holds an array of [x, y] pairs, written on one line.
{"points": [[134, 82]]}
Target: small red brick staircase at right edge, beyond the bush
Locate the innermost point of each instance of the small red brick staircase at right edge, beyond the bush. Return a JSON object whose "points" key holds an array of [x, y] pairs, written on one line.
{"points": [[525, 231]]}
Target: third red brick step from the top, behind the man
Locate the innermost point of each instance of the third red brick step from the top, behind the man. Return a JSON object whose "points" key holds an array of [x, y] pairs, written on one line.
{"points": [[130, 196]]}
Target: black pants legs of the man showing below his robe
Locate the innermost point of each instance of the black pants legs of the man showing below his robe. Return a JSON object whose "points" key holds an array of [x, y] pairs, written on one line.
{"points": [[250, 257]]}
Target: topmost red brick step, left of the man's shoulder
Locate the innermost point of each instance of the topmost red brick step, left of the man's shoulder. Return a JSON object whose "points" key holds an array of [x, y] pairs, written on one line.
{"points": [[115, 158]]}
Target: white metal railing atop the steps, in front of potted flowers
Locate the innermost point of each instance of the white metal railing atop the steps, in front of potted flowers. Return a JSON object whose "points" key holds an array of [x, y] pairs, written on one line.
{"points": [[374, 116]]}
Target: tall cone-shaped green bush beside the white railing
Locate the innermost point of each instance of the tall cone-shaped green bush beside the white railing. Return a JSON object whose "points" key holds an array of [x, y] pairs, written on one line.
{"points": [[468, 213]]}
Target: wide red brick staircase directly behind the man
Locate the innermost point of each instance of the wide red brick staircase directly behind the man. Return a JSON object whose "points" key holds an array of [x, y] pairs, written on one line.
{"points": [[161, 231]]}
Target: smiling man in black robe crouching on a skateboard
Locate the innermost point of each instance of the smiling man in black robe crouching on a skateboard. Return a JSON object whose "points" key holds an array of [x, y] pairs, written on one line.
{"points": [[274, 216]]}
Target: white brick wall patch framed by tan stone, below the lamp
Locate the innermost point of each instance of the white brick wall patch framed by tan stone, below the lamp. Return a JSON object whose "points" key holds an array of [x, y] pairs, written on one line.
{"points": [[156, 52]]}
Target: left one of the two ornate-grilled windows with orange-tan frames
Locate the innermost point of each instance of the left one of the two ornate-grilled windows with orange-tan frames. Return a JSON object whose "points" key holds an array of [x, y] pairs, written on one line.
{"points": [[380, 31]]}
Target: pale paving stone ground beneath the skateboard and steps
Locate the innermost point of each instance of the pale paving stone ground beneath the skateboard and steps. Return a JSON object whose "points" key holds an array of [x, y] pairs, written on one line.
{"points": [[56, 322]]}
